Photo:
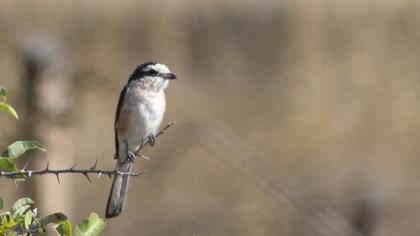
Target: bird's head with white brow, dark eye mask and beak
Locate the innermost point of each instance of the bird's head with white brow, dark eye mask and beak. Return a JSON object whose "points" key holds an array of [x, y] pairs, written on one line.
{"points": [[152, 75]]}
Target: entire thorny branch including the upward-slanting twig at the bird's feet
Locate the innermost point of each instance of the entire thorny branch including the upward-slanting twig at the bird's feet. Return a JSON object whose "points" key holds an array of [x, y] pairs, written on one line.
{"points": [[23, 173]]}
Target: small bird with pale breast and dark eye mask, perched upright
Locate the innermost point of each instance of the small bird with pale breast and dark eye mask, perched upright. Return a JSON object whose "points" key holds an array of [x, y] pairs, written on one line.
{"points": [[140, 110]]}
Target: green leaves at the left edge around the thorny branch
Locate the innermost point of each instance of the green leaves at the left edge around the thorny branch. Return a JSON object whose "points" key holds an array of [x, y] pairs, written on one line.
{"points": [[21, 220]]}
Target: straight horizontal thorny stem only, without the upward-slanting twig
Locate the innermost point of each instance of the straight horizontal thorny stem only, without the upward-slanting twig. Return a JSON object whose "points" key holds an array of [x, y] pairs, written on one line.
{"points": [[92, 170]]}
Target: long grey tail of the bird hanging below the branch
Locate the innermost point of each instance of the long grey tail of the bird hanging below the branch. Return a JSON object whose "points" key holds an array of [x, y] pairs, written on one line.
{"points": [[118, 194]]}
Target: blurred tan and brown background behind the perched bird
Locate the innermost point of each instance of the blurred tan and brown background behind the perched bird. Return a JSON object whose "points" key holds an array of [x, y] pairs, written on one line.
{"points": [[293, 117]]}
